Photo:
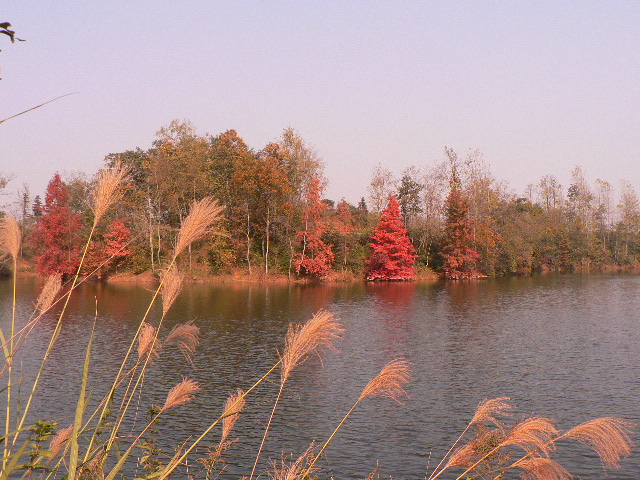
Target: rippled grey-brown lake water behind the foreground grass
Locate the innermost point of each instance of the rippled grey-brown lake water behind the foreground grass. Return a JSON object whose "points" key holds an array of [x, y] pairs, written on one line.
{"points": [[567, 347]]}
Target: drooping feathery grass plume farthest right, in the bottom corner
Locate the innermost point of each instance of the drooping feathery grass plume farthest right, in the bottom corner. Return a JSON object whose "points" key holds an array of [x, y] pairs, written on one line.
{"points": [[607, 436]]}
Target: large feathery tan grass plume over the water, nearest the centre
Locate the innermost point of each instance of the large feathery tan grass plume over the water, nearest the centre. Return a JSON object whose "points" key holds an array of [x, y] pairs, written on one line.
{"points": [[312, 337]]}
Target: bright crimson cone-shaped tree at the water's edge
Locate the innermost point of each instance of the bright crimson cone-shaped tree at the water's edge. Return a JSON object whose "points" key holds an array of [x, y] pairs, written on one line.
{"points": [[392, 254]]}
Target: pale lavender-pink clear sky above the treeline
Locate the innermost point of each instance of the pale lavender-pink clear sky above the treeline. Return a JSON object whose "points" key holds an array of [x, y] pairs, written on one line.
{"points": [[537, 87]]}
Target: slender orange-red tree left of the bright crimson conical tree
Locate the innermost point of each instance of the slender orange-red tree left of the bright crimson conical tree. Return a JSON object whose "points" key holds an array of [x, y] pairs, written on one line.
{"points": [[316, 257]]}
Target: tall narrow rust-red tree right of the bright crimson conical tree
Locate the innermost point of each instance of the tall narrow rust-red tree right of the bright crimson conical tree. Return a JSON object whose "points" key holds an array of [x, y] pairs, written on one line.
{"points": [[459, 258]]}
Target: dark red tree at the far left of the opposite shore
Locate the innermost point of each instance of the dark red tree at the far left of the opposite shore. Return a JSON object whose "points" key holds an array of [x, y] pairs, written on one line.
{"points": [[57, 232]]}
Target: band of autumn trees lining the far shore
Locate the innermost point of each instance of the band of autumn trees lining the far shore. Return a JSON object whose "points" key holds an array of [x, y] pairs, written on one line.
{"points": [[452, 219]]}
